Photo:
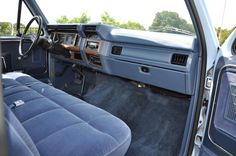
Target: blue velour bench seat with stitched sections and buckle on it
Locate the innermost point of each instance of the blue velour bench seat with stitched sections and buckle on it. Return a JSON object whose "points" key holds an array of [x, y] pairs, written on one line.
{"points": [[56, 123]]}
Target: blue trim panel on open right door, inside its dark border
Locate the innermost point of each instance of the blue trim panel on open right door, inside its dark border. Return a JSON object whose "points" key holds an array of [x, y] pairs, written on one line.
{"points": [[223, 122]]}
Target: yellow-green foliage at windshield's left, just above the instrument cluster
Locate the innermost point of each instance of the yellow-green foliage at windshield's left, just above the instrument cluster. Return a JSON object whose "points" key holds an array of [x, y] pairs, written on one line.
{"points": [[84, 18]]}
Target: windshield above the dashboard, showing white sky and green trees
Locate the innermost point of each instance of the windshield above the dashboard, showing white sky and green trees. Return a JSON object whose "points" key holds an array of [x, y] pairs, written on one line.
{"points": [[146, 15]]}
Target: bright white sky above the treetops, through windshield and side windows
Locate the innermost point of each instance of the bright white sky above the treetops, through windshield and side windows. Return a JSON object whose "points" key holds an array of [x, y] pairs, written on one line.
{"points": [[142, 11]]}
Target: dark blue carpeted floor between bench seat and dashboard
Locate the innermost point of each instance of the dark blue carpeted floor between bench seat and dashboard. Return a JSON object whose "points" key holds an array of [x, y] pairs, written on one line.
{"points": [[157, 121]]}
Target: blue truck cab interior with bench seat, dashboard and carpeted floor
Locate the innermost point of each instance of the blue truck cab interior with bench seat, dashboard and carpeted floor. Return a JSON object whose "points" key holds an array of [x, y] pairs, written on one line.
{"points": [[96, 89]]}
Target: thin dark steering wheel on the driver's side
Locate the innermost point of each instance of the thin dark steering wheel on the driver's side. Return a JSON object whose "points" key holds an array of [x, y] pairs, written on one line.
{"points": [[30, 39]]}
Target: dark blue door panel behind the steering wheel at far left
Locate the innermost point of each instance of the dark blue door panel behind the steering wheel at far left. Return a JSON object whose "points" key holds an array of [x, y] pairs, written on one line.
{"points": [[35, 64]]}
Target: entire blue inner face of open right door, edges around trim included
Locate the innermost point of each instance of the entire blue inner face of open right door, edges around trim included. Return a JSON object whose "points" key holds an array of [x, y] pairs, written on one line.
{"points": [[221, 131]]}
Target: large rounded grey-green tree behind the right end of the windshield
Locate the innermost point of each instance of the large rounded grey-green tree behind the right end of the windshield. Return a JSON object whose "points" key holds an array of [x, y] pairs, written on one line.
{"points": [[166, 19]]}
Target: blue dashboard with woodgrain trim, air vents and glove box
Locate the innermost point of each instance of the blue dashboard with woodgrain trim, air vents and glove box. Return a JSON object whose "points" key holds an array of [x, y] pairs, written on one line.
{"points": [[164, 60]]}
